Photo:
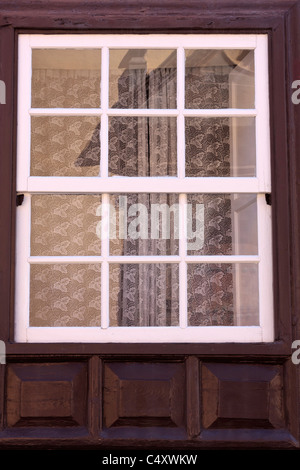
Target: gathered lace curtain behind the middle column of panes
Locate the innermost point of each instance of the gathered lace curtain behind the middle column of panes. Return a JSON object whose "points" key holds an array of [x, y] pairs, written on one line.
{"points": [[145, 294]]}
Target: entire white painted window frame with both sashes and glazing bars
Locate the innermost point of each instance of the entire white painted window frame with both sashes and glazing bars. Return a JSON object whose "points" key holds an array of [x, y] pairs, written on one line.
{"points": [[258, 185]]}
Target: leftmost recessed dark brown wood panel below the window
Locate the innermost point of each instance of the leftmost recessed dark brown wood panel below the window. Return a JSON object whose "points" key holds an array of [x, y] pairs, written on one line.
{"points": [[46, 395]]}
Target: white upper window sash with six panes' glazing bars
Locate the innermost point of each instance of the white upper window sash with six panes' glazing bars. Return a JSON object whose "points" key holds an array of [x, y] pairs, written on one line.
{"points": [[260, 183]]}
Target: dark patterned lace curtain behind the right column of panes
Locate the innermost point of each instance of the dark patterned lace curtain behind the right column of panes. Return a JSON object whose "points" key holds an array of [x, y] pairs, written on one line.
{"points": [[210, 286]]}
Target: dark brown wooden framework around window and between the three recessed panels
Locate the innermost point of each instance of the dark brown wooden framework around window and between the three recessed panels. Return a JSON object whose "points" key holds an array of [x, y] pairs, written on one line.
{"points": [[279, 19]]}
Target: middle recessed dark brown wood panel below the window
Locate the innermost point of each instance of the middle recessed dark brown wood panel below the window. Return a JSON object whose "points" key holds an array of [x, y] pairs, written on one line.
{"points": [[144, 395]]}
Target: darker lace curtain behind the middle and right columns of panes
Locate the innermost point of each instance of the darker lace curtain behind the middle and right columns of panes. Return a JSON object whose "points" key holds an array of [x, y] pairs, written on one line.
{"points": [[148, 294]]}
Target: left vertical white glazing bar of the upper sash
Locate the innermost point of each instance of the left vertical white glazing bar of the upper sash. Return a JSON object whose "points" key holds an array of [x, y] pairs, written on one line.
{"points": [[104, 117]]}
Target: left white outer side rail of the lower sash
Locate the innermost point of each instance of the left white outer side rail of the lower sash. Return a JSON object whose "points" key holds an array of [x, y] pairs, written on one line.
{"points": [[22, 286]]}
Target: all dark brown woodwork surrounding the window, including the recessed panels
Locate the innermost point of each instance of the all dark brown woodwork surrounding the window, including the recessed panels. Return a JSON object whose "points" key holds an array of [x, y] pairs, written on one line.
{"points": [[188, 396]]}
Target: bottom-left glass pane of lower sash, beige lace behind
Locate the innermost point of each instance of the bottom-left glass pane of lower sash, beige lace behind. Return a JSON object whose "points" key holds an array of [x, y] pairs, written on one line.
{"points": [[65, 295]]}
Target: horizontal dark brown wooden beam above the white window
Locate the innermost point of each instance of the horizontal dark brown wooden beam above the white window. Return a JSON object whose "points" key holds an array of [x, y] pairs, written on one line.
{"points": [[151, 15]]}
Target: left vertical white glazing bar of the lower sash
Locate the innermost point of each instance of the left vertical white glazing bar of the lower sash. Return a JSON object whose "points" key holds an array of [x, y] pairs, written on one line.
{"points": [[104, 265]]}
